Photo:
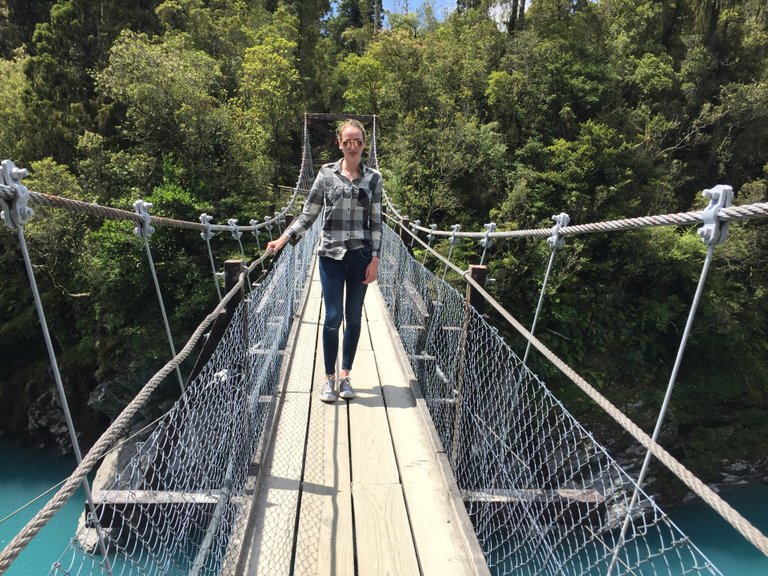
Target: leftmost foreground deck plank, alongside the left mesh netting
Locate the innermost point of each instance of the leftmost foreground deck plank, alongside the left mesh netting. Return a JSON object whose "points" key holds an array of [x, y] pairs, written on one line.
{"points": [[276, 503]]}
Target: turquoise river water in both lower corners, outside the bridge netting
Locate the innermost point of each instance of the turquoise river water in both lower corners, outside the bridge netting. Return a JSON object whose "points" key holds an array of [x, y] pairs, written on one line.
{"points": [[24, 474]]}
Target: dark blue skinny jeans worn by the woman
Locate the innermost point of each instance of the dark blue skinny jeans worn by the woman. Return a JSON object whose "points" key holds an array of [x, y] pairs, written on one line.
{"points": [[335, 275]]}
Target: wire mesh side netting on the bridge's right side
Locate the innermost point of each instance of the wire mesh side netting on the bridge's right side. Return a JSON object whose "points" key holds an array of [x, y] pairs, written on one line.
{"points": [[543, 495]]}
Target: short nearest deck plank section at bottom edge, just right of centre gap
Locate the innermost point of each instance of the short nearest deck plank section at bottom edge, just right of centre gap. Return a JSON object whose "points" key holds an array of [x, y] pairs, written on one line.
{"points": [[384, 542]]}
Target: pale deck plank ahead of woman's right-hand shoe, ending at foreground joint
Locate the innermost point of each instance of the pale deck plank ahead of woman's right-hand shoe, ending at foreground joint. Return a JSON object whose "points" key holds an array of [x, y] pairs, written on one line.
{"points": [[373, 458]]}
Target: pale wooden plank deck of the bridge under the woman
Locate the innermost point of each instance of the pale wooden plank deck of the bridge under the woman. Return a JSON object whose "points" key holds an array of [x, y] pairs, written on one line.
{"points": [[359, 487]]}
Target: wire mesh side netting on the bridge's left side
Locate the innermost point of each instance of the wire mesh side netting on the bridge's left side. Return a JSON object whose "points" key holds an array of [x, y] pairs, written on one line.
{"points": [[176, 502]]}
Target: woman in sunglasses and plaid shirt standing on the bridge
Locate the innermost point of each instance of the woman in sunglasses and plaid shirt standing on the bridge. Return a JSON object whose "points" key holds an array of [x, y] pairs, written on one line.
{"points": [[348, 195]]}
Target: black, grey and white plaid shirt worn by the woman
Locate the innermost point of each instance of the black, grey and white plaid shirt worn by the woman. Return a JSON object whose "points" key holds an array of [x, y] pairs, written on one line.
{"points": [[351, 211]]}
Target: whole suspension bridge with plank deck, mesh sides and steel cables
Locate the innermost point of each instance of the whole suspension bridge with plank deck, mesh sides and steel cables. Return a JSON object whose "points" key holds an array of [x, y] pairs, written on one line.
{"points": [[454, 459]]}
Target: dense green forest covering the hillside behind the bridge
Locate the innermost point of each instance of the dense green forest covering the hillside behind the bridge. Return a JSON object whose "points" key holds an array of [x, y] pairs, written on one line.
{"points": [[505, 112]]}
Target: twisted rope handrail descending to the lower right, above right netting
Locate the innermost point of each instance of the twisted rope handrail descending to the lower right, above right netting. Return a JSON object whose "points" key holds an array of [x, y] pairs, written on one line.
{"points": [[725, 510]]}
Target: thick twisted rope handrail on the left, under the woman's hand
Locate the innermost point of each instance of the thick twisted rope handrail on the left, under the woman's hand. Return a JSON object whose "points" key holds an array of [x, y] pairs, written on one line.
{"points": [[103, 444]]}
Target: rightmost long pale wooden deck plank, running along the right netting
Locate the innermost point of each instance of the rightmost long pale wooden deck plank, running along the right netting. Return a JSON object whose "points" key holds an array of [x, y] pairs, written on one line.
{"points": [[444, 538]]}
